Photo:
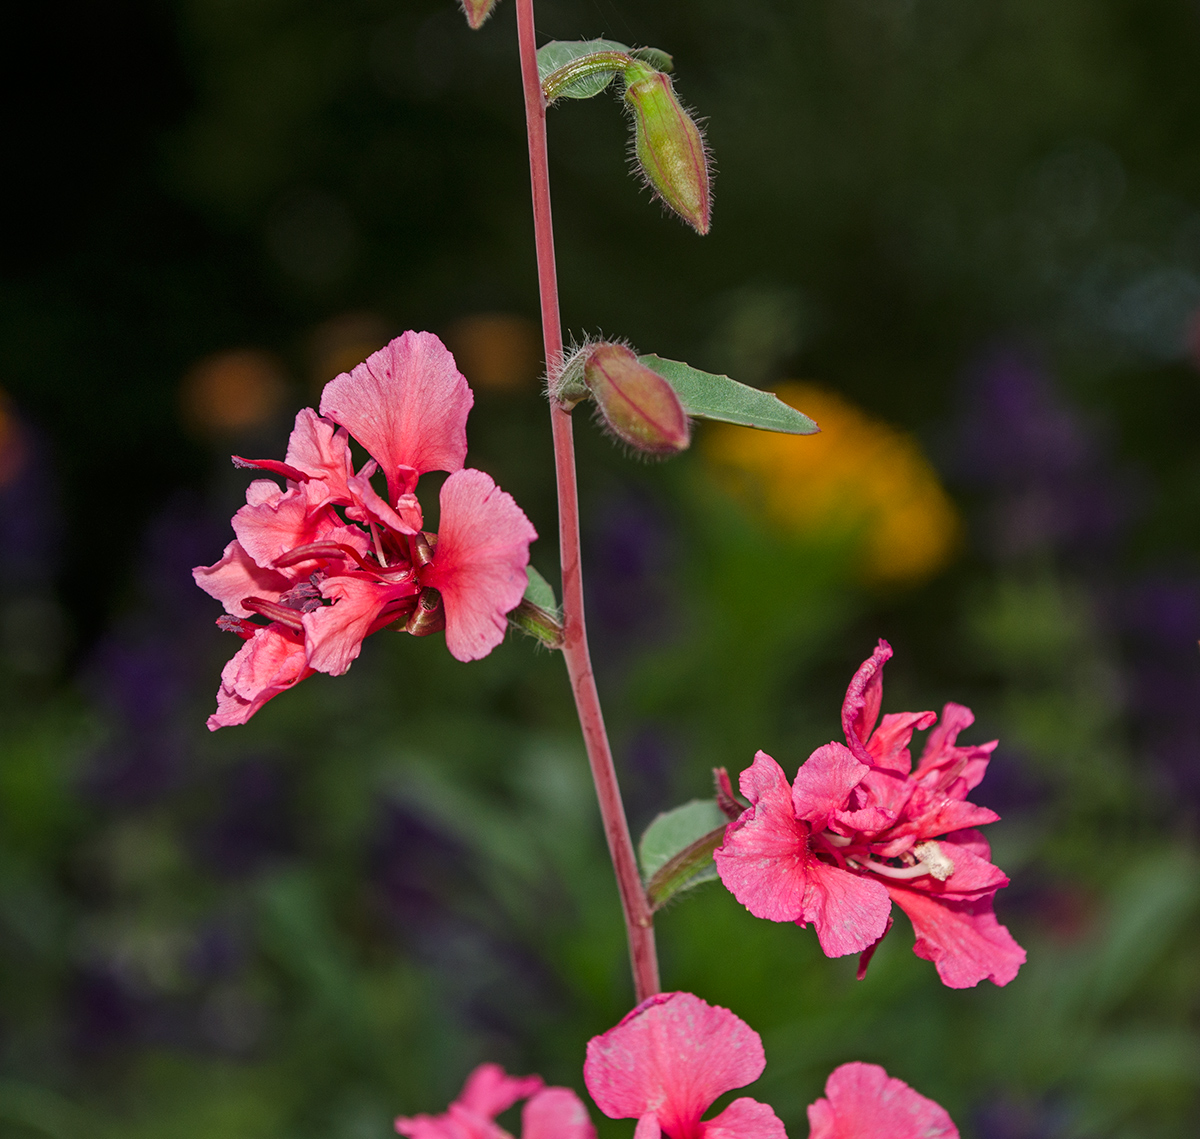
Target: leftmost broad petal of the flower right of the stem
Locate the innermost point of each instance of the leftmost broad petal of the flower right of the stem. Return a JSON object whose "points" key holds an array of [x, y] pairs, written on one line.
{"points": [[765, 855]]}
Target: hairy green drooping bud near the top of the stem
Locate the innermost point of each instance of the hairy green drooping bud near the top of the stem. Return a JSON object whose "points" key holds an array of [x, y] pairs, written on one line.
{"points": [[670, 148]]}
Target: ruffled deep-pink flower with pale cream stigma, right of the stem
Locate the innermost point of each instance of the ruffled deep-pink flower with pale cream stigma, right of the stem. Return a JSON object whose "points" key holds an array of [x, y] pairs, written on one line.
{"points": [[860, 830]]}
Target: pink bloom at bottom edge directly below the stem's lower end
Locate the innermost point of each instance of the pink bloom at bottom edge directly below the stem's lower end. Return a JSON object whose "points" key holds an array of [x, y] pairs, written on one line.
{"points": [[668, 1062]]}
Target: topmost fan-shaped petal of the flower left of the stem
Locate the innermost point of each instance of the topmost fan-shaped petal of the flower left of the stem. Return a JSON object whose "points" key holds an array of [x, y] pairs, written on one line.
{"points": [[407, 405]]}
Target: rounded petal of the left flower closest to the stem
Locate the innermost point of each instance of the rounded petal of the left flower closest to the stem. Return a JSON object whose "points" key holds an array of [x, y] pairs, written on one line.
{"points": [[479, 562]]}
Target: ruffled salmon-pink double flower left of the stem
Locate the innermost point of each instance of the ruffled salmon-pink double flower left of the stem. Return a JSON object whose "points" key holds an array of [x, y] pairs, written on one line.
{"points": [[328, 561]]}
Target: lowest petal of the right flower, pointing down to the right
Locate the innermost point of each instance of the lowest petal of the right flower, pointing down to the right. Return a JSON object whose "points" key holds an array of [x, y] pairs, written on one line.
{"points": [[961, 937]]}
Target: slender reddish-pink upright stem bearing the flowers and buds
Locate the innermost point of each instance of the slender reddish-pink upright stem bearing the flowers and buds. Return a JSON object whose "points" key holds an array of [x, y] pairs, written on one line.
{"points": [[639, 918]]}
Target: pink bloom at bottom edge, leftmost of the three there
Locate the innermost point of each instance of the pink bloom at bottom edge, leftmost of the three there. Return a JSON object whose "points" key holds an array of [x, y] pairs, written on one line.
{"points": [[551, 1113]]}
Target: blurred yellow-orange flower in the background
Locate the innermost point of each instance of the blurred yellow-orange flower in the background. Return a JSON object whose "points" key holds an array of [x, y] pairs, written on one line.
{"points": [[859, 477]]}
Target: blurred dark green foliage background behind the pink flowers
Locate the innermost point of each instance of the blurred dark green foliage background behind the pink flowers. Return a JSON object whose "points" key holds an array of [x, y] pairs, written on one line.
{"points": [[308, 926]]}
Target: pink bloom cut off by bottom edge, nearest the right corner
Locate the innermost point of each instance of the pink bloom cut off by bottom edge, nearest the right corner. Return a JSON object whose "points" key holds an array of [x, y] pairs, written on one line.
{"points": [[863, 1102]]}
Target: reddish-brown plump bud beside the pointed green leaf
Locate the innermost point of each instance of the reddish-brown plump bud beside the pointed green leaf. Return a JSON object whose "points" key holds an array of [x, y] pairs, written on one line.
{"points": [[638, 405]]}
